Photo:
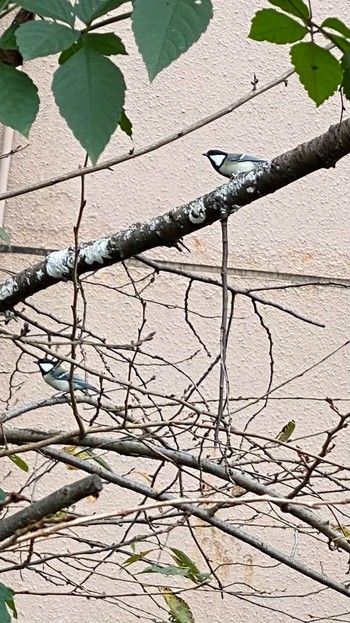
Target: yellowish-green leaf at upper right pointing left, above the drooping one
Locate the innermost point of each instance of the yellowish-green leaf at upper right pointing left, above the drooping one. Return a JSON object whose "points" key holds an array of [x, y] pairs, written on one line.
{"points": [[275, 27]]}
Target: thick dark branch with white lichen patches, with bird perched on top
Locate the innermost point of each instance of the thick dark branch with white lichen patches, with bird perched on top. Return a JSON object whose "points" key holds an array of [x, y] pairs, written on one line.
{"points": [[321, 152]]}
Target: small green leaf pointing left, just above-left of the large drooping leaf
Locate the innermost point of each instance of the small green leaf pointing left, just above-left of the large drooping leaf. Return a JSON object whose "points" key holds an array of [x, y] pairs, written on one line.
{"points": [[43, 38]]}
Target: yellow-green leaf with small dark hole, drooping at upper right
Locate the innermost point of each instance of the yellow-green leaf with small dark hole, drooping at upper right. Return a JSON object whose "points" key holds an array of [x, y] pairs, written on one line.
{"points": [[319, 71]]}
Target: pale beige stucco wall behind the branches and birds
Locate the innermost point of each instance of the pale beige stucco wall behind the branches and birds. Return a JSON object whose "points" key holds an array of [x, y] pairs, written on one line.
{"points": [[301, 230]]}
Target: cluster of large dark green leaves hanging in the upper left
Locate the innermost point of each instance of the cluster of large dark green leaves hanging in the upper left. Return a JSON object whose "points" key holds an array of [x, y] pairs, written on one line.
{"points": [[88, 88]]}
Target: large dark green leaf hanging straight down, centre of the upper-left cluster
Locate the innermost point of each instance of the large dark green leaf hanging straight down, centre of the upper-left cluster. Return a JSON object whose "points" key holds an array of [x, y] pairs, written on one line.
{"points": [[89, 92]]}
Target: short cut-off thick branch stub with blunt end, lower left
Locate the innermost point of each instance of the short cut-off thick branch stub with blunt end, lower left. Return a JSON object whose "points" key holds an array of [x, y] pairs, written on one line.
{"points": [[56, 501]]}
